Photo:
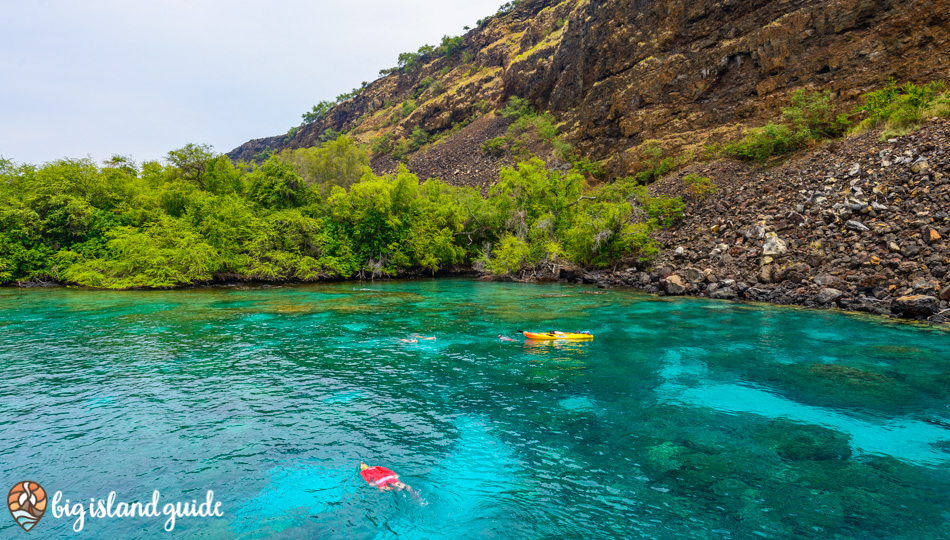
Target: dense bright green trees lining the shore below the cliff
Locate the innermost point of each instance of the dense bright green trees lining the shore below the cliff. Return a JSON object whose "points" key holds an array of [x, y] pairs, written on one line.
{"points": [[305, 214]]}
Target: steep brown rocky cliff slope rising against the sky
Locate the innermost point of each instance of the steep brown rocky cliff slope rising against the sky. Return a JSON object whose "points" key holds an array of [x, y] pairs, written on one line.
{"points": [[617, 73]]}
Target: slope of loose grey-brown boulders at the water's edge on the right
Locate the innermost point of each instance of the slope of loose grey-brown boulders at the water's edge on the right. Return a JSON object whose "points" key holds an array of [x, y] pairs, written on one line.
{"points": [[861, 224]]}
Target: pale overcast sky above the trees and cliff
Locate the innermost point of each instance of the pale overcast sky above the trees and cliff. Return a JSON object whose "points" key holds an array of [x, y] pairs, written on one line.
{"points": [[139, 78]]}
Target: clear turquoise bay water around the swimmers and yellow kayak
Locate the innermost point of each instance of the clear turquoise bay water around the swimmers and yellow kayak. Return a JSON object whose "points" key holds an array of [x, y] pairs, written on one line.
{"points": [[683, 418]]}
